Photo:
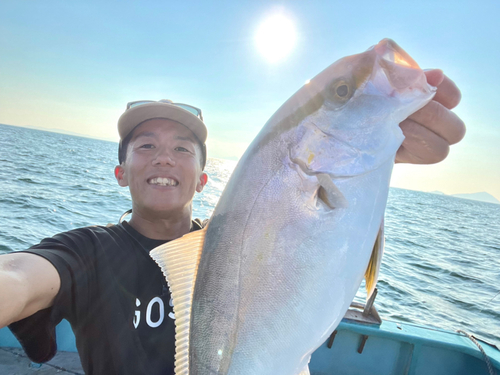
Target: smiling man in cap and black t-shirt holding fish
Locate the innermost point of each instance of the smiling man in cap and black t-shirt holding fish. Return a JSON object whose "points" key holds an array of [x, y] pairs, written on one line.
{"points": [[101, 278]]}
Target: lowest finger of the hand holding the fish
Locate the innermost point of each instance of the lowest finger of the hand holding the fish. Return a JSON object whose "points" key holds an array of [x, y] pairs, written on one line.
{"points": [[421, 145]]}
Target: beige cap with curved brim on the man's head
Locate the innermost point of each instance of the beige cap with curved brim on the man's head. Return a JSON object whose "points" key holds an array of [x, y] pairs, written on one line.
{"points": [[137, 115]]}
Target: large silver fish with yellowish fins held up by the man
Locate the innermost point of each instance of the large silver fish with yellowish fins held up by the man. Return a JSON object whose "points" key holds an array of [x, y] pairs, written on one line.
{"points": [[298, 225]]}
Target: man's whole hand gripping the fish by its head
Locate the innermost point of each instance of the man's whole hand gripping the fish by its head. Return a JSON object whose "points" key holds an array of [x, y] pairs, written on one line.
{"points": [[431, 130]]}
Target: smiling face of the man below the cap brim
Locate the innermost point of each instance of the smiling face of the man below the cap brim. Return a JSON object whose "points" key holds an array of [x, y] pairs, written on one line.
{"points": [[162, 169]]}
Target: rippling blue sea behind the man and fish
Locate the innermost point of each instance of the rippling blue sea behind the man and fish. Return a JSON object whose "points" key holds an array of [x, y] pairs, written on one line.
{"points": [[441, 265]]}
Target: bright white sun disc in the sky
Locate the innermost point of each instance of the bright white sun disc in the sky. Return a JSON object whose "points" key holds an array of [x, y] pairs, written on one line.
{"points": [[276, 37]]}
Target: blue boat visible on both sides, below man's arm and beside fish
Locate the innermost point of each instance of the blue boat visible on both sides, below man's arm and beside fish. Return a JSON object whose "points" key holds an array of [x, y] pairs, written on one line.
{"points": [[362, 344]]}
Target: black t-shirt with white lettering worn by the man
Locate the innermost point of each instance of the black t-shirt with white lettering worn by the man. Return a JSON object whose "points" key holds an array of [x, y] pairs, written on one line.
{"points": [[115, 297]]}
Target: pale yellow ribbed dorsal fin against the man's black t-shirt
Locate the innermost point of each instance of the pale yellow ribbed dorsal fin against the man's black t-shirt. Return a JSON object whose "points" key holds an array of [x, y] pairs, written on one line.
{"points": [[179, 260]]}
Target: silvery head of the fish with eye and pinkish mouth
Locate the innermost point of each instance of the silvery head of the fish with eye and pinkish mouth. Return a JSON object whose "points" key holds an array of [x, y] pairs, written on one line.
{"points": [[357, 104]]}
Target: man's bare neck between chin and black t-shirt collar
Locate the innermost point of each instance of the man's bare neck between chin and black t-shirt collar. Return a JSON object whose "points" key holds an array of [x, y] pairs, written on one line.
{"points": [[161, 228]]}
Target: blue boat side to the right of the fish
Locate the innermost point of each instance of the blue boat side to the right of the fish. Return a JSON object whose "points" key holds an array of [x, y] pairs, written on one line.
{"points": [[391, 348]]}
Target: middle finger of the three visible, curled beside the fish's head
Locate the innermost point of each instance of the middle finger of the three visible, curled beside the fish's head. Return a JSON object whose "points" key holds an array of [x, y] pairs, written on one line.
{"points": [[440, 120]]}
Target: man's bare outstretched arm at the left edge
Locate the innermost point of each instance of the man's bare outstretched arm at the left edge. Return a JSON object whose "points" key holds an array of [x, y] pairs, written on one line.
{"points": [[28, 283]]}
